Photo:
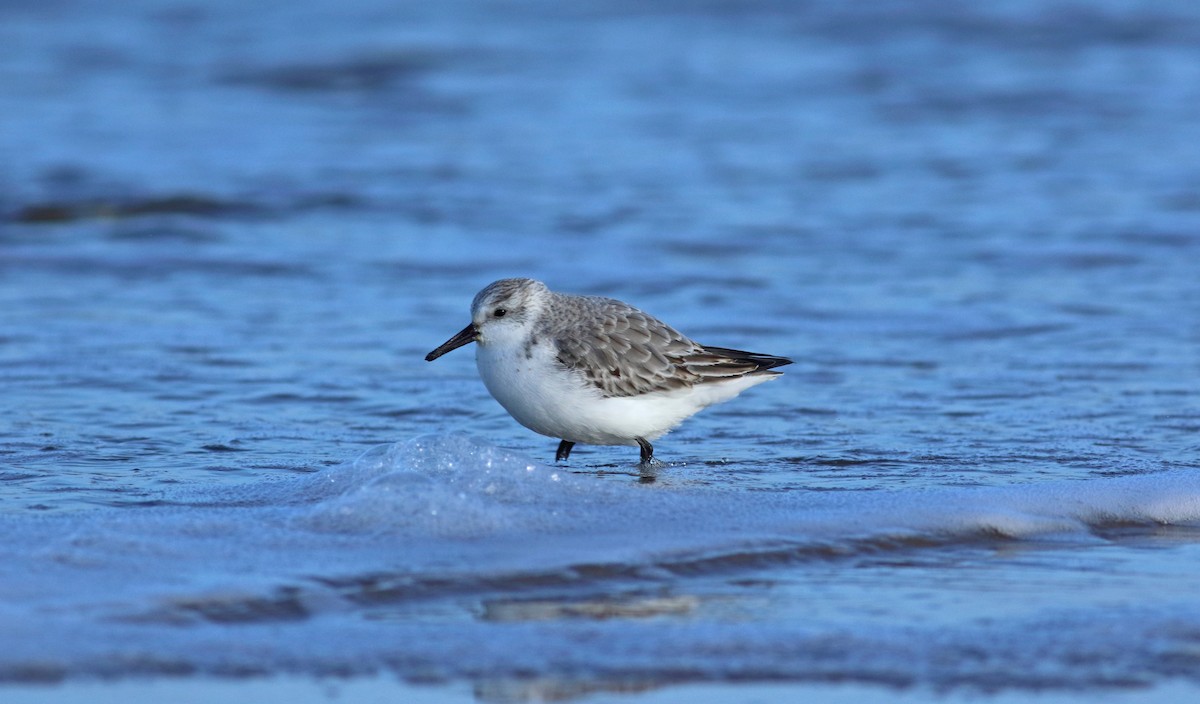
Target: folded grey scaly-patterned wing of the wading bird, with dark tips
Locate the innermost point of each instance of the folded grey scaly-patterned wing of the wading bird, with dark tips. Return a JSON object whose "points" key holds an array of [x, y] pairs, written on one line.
{"points": [[623, 352]]}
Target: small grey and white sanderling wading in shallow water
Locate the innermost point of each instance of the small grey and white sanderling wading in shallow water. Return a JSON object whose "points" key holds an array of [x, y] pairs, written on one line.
{"points": [[593, 370]]}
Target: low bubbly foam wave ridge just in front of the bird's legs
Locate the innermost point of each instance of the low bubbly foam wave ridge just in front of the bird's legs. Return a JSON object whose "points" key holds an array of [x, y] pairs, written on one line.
{"points": [[455, 486]]}
